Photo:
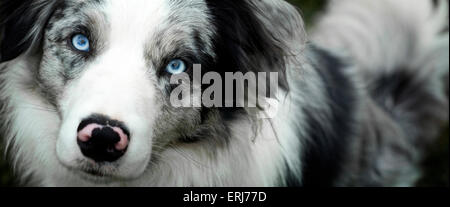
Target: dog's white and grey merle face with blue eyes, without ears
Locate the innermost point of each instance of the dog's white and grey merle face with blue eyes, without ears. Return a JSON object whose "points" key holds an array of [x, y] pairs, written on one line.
{"points": [[106, 65]]}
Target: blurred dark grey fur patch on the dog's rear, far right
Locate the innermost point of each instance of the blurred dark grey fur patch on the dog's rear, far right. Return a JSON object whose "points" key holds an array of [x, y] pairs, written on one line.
{"points": [[406, 97]]}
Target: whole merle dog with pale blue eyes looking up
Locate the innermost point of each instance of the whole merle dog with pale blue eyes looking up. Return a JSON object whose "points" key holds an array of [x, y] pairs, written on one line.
{"points": [[85, 92]]}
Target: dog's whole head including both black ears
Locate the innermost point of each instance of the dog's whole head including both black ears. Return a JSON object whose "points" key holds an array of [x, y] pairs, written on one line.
{"points": [[105, 66]]}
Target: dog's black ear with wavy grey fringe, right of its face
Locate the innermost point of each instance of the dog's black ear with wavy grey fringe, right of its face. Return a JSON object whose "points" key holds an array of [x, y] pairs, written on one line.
{"points": [[253, 35]]}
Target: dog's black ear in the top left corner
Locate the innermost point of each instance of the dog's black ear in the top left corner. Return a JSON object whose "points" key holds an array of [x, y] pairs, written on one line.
{"points": [[22, 24]]}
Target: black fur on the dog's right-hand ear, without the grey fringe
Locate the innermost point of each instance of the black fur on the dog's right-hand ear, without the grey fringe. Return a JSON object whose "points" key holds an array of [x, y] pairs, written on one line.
{"points": [[243, 43]]}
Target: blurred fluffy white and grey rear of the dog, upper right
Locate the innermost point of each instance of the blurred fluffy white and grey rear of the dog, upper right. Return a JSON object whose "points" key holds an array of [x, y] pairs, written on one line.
{"points": [[401, 48]]}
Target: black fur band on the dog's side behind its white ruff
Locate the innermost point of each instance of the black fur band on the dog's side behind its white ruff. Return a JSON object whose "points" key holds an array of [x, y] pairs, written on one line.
{"points": [[328, 143]]}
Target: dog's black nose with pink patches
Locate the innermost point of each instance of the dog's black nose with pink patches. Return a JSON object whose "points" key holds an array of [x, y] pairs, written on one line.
{"points": [[102, 139]]}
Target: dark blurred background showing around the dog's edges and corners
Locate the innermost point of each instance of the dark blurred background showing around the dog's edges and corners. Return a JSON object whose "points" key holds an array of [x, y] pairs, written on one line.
{"points": [[436, 165]]}
